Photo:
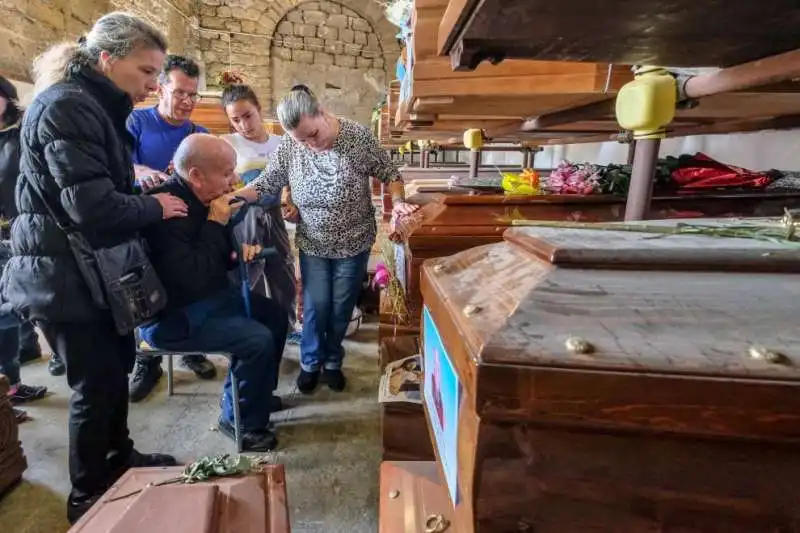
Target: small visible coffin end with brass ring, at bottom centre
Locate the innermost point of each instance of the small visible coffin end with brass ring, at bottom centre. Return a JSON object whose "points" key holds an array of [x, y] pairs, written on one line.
{"points": [[413, 498]]}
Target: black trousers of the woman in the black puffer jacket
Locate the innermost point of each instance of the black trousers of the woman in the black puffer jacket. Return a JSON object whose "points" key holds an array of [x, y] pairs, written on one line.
{"points": [[98, 361]]}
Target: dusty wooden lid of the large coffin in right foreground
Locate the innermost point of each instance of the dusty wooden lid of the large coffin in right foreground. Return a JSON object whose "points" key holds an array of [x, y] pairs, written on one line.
{"points": [[703, 326]]}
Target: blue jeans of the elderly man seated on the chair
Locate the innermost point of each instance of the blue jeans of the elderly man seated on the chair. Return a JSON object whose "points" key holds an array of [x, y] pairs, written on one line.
{"points": [[220, 324]]}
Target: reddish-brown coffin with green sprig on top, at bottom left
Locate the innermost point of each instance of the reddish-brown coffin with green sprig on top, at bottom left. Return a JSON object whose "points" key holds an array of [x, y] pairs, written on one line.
{"points": [[254, 503]]}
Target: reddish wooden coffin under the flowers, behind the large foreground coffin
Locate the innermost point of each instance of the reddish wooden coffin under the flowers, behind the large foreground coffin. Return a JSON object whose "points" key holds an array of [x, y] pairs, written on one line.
{"points": [[447, 224]]}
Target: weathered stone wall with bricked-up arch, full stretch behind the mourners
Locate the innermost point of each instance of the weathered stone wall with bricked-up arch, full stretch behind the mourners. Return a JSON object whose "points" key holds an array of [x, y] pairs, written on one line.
{"points": [[345, 50]]}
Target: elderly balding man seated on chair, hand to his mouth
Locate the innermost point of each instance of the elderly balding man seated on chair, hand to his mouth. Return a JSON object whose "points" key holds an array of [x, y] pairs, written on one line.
{"points": [[204, 312]]}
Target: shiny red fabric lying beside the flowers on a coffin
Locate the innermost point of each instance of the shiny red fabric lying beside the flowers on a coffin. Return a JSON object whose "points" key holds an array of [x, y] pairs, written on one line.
{"points": [[707, 173]]}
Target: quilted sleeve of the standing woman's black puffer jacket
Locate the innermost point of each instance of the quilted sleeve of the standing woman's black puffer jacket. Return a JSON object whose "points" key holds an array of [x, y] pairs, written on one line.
{"points": [[74, 151]]}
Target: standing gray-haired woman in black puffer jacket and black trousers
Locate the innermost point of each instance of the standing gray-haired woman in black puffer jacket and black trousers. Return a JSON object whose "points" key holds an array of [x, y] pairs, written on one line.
{"points": [[76, 155]]}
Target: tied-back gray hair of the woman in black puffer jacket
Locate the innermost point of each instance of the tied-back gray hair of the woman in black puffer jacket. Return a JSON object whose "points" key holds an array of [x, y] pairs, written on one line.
{"points": [[117, 33]]}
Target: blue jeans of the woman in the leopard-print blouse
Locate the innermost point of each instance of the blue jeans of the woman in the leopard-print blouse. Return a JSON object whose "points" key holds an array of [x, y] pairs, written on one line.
{"points": [[330, 292]]}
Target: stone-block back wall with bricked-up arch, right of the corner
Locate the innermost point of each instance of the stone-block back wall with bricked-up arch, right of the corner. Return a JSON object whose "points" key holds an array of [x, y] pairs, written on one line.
{"points": [[347, 45]]}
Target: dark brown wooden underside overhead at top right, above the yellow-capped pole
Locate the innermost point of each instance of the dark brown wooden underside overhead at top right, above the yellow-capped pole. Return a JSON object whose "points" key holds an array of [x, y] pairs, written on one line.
{"points": [[633, 32]]}
